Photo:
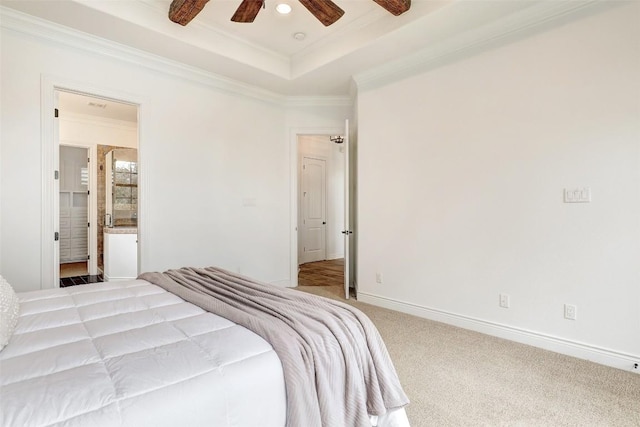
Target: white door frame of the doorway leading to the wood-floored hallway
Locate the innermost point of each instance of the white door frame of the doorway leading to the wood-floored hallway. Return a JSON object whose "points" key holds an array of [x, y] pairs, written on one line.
{"points": [[294, 209]]}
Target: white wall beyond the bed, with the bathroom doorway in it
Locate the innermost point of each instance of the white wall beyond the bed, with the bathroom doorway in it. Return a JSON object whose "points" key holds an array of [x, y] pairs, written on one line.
{"points": [[203, 150]]}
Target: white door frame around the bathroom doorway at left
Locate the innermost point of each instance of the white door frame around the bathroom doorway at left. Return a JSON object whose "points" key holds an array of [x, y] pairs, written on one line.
{"points": [[50, 147]]}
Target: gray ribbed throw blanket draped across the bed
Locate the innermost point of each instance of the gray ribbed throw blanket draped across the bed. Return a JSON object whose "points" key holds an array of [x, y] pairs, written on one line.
{"points": [[336, 367]]}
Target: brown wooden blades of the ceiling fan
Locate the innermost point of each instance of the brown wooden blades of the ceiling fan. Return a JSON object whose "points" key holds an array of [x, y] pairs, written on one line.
{"points": [[326, 11]]}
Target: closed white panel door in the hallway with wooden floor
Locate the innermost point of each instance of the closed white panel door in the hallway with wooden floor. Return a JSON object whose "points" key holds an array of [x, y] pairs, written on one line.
{"points": [[314, 201]]}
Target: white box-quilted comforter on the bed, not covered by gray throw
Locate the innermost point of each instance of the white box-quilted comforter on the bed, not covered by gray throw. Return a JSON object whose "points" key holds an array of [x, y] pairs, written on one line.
{"points": [[134, 354]]}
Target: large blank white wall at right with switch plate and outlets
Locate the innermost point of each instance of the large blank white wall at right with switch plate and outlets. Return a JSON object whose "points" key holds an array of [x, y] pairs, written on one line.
{"points": [[461, 178]]}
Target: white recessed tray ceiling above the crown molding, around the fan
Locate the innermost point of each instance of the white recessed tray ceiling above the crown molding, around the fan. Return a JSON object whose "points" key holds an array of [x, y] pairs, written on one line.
{"points": [[264, 53]]}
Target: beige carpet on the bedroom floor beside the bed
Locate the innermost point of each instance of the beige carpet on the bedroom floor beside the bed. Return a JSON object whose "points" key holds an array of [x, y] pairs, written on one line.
{"points": [[456, 377]]}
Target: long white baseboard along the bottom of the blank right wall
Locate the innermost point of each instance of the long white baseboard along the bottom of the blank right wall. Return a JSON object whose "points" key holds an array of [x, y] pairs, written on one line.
{"points": [[548, 342]]}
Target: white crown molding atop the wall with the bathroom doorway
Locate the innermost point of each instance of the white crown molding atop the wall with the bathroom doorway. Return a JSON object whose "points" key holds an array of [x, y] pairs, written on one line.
{"points": [[31, 26]]}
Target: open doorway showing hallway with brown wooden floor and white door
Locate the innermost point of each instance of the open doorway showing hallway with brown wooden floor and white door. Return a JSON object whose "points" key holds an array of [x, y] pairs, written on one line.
{"points": [[321, 211]]}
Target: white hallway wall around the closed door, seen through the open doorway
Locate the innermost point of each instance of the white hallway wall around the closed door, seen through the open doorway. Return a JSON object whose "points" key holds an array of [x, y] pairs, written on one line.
{"points": [[319, 146]]}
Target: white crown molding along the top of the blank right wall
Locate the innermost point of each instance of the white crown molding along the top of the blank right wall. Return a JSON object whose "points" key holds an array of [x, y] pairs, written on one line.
{"points": [[503, 30]]}
